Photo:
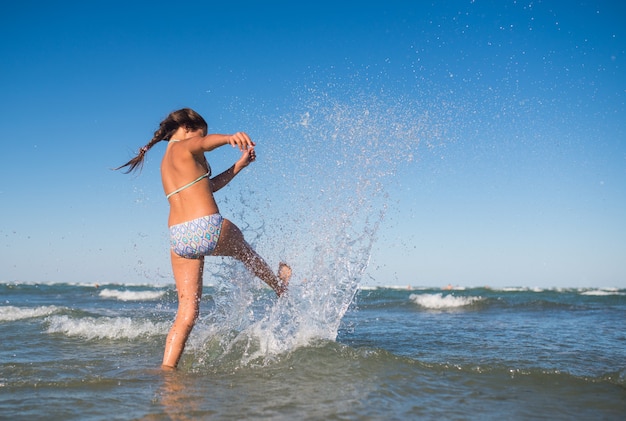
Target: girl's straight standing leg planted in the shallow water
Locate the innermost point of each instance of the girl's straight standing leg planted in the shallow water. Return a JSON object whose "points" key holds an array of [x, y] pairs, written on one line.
{"points": [[188, 276]]}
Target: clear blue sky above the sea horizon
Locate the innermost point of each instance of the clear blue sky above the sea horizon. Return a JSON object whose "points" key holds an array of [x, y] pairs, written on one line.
{"points": [[492, 134]]}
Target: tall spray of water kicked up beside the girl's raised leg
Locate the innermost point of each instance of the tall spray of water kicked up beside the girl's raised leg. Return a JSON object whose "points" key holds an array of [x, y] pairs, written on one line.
{"points": [[328, 164]]}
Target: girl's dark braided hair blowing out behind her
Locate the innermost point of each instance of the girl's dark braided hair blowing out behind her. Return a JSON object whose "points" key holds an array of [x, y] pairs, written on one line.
{"points": [[186, 117]]}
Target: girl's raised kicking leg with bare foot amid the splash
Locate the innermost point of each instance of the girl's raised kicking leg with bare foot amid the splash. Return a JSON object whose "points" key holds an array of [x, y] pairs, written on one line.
{"points": [[232, 244]]}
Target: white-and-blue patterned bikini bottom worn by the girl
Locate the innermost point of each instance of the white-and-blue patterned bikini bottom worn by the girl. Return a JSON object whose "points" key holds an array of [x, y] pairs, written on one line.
{"points": [[196, 238]]}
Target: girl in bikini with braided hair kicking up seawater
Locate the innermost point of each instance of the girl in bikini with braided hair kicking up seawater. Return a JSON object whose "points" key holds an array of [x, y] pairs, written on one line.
{"points": [[196, 227]]}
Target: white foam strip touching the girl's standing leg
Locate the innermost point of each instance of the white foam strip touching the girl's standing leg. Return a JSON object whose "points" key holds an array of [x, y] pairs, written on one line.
{"points": [[105, 327]]}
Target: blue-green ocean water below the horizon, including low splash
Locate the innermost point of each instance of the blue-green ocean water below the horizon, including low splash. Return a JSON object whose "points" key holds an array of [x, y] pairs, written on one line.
{"points": [[91, 352]]}
